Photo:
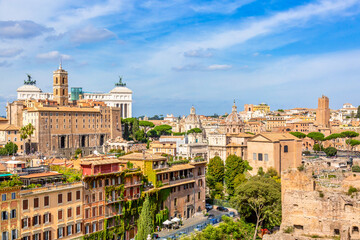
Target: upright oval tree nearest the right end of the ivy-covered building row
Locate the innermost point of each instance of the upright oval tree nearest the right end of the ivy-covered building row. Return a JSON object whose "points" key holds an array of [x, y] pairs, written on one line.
{"points": [[215, 177]]}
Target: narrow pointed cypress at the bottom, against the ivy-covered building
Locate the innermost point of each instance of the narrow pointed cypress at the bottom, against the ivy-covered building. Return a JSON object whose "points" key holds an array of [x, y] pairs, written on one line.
{"points": [[145, 223]]}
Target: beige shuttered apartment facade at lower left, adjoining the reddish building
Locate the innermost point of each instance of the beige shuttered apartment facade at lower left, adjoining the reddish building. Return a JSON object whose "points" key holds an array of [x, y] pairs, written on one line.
{"points": [[52, 212]]}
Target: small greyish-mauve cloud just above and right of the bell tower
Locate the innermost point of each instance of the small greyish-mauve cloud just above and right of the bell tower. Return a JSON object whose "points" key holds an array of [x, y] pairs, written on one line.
{"points": [[91, 34]]}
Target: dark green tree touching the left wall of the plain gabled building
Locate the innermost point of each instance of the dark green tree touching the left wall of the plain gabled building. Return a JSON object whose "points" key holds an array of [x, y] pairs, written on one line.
{"points": [[234, 166]]}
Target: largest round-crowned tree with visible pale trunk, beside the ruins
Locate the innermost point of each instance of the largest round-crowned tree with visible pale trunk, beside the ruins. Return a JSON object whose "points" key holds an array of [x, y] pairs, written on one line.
{"points": [[259, 197]]}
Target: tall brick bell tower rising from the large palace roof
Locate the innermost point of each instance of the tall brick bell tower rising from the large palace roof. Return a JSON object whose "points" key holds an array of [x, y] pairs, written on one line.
{"points": [[60, 86]]}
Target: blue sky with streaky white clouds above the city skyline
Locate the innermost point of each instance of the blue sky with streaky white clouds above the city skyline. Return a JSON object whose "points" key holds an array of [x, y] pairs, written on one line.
{"points": [[174, 54]]}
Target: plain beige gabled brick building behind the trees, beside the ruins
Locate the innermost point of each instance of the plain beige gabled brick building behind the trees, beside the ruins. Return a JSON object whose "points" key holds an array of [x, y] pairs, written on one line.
{"points": [[277, 150]]}
